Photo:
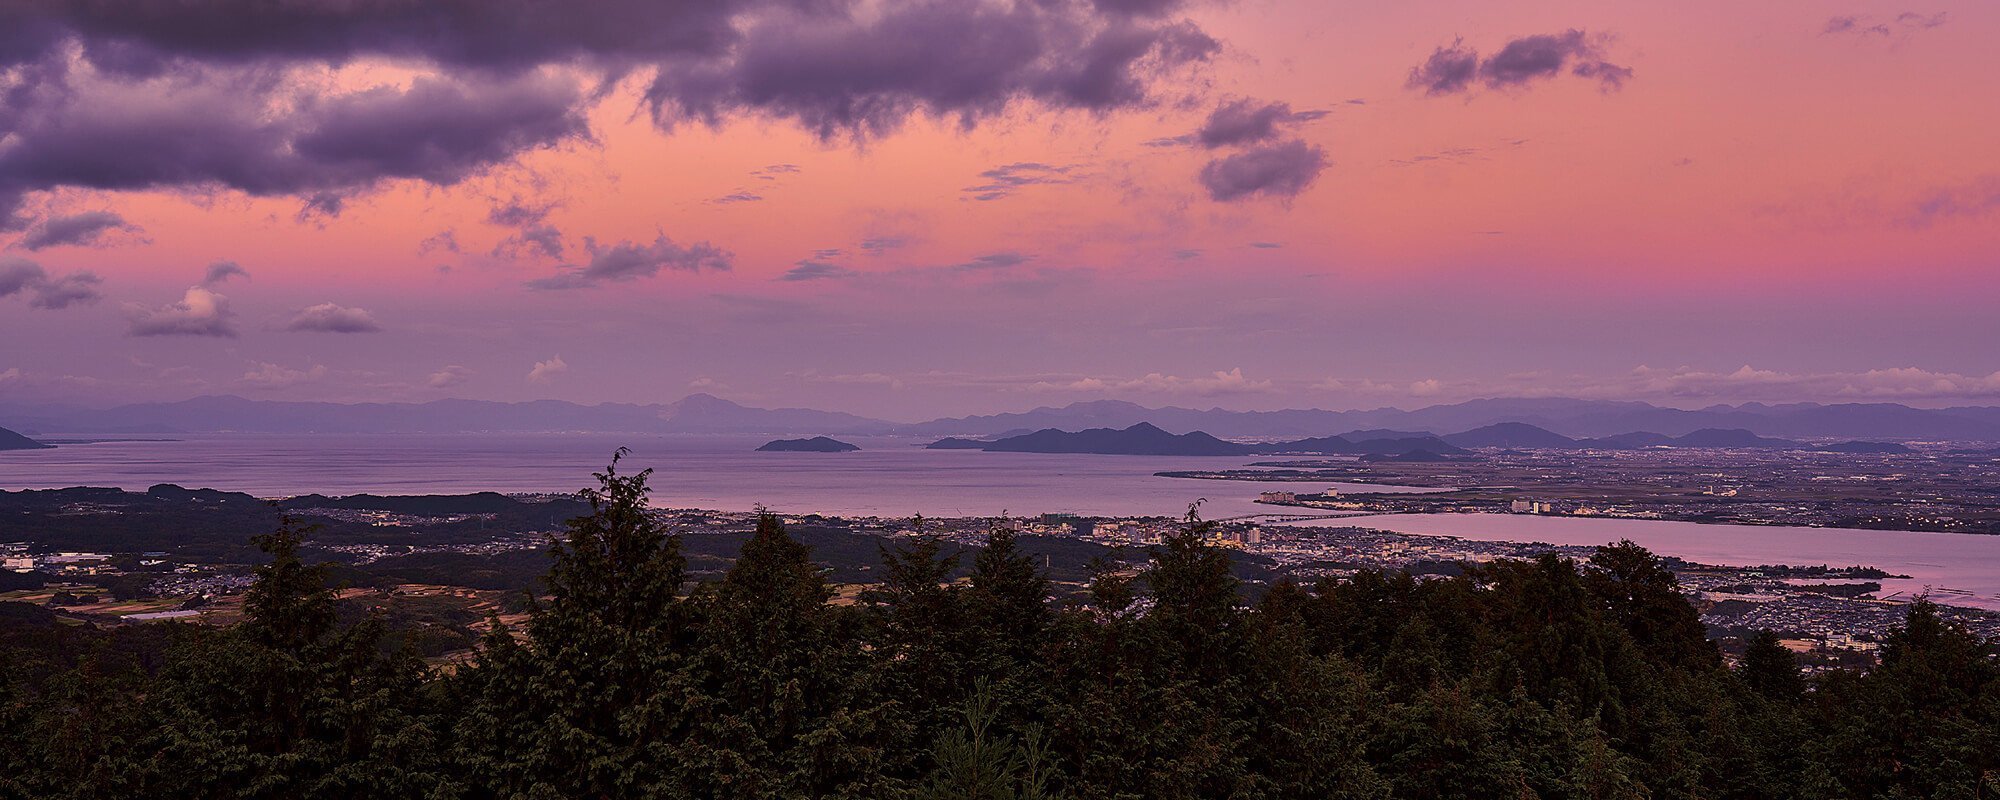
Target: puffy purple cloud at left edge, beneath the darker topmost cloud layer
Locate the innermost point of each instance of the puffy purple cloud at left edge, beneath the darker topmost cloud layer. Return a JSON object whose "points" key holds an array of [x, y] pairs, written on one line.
{"points": [[215, 131]]}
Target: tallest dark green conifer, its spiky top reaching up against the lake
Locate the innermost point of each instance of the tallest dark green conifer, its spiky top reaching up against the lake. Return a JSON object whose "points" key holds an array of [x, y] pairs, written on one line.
{"points": [[589, 707]]}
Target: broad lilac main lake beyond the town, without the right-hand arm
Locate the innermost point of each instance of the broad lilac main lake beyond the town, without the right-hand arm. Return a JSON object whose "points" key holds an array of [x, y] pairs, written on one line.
{"points": [[889, 477]]}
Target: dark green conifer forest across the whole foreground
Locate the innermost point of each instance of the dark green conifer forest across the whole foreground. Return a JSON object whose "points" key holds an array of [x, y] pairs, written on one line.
{"points": [[1527, 679]]}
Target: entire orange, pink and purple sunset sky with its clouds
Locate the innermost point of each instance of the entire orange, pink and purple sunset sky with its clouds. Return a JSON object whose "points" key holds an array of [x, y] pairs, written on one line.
{"points": [[911, 209]]}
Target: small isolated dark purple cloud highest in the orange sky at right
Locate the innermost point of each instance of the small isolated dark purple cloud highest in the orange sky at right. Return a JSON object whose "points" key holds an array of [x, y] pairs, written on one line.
{"points": [[1523, 61]]}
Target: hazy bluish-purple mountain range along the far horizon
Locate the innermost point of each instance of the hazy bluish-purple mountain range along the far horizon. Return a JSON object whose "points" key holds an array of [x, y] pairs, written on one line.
{"points": [[709, 415]]}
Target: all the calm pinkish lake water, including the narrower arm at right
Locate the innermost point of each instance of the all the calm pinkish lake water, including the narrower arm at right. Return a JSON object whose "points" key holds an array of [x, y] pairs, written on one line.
{"points": [[897, 477]]}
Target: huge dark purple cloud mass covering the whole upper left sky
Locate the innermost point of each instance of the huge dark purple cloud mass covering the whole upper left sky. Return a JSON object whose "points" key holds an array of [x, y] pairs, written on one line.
{"points": [[181, 95]]}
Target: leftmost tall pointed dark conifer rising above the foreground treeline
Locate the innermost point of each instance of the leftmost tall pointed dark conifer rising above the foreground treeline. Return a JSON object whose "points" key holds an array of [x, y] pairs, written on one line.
{"points": [[289, 707]]}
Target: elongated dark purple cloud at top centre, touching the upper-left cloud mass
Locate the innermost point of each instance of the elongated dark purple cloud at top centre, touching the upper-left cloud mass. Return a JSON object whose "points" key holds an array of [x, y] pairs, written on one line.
{"points": [[865, 75]]}
